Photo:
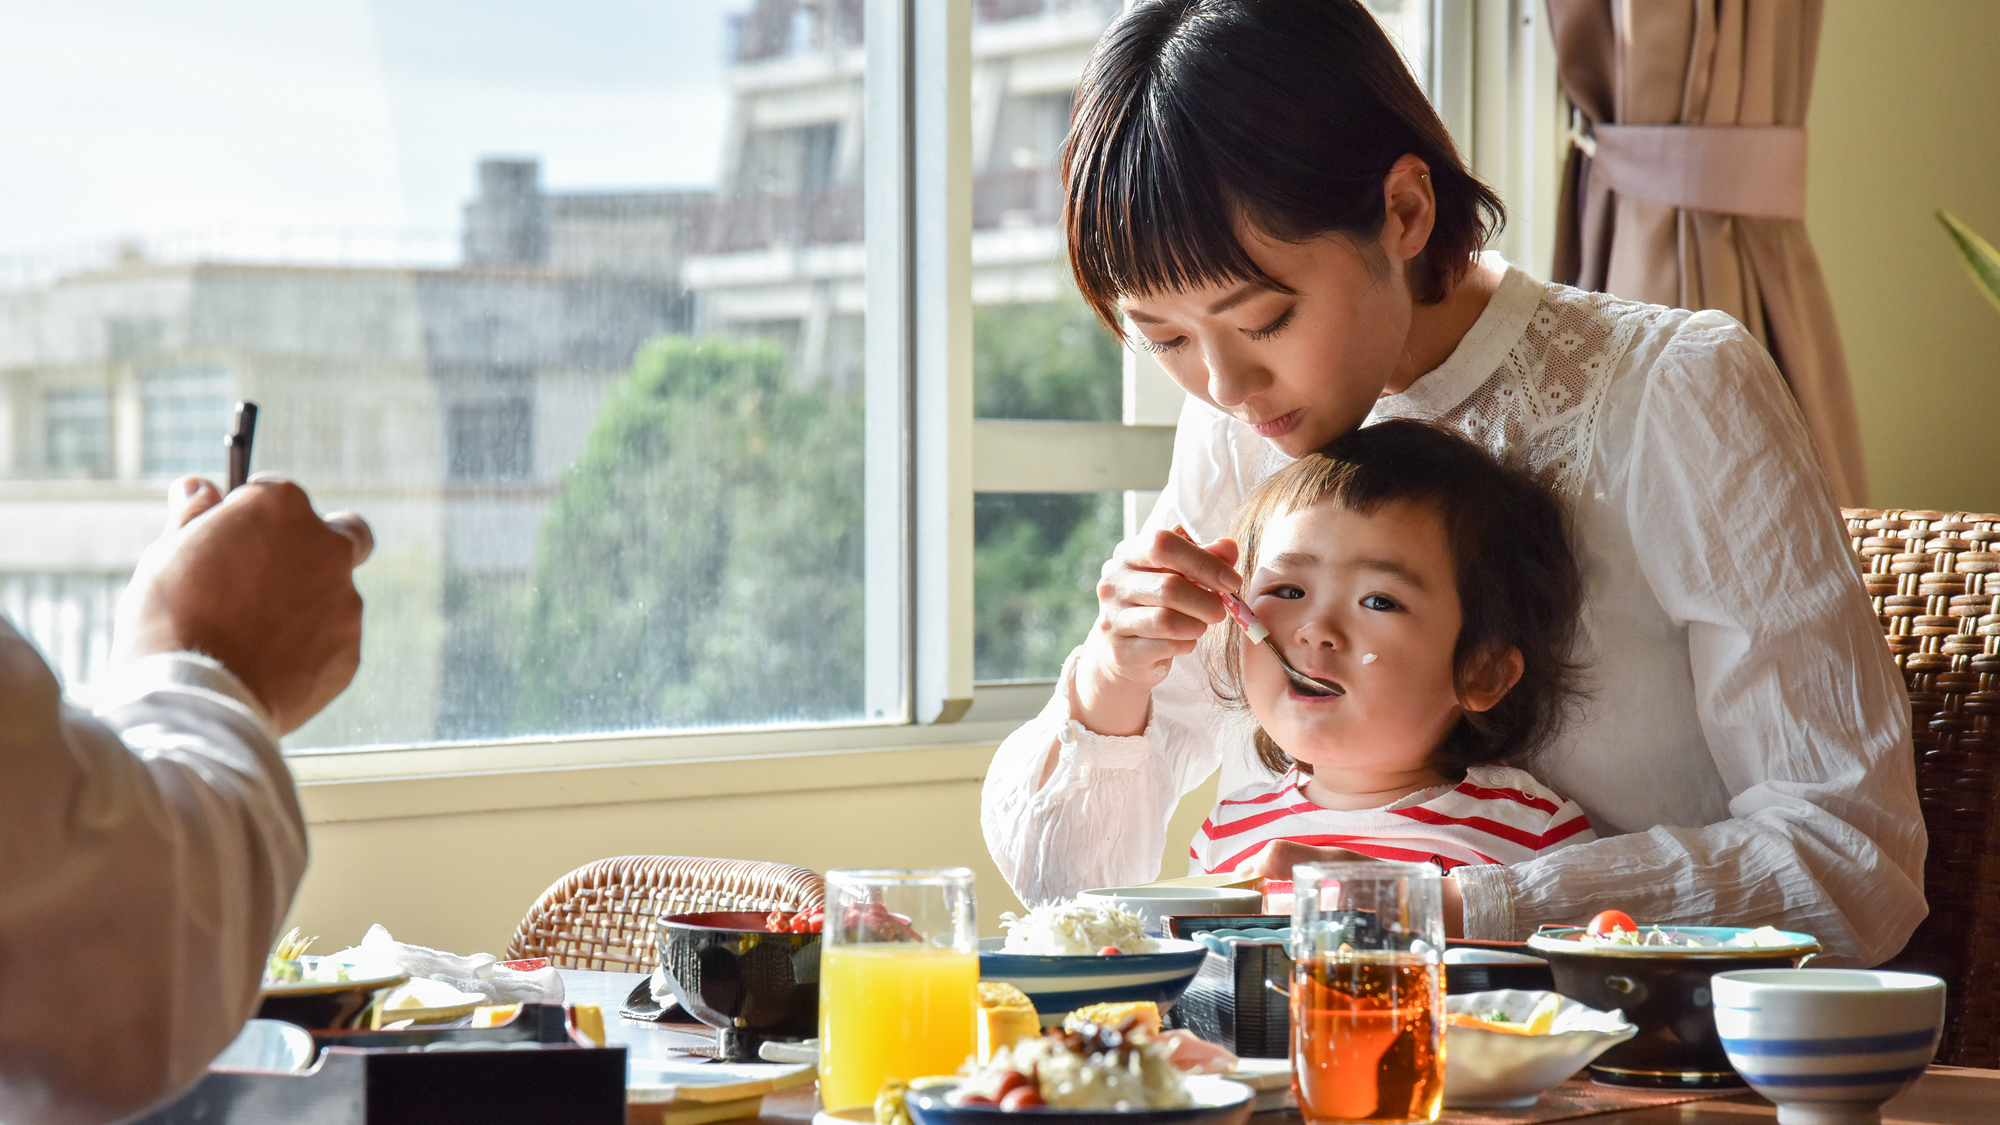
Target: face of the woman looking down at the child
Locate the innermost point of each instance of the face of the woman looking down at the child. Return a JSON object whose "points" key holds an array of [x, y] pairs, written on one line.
{"points": [[1299, 367]]}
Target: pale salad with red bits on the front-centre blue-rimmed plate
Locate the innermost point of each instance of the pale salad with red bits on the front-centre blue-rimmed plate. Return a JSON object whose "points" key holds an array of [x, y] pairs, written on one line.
{"points": [[1091, 1068]]}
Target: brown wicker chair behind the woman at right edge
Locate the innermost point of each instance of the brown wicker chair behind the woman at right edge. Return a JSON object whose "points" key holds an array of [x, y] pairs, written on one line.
{"points": [[1935, 580]]}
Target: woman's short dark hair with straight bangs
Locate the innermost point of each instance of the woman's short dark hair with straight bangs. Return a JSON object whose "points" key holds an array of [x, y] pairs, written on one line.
{"points": [[1197, 117]]}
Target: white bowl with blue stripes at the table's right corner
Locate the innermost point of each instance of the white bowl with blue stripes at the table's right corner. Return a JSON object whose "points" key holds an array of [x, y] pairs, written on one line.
{"points": [[1829, 1046]]}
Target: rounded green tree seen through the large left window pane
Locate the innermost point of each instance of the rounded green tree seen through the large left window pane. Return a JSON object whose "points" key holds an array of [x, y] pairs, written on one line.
{"points": [[703, 559]]}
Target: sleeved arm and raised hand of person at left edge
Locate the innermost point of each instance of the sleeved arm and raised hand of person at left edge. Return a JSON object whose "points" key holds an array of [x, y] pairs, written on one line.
{"points": [[149, 856]]}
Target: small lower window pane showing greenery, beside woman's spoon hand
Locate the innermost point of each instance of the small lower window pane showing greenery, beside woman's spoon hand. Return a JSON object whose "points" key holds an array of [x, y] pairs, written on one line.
{"points": [[1037, 564]]}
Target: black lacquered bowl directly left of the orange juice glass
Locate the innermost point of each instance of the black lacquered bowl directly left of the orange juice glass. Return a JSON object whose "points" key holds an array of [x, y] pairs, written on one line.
{"points": [[741, 980]]}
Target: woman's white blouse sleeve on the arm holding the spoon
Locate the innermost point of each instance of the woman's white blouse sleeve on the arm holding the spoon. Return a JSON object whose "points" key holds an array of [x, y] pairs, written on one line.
{"points": [[1101, 818]]}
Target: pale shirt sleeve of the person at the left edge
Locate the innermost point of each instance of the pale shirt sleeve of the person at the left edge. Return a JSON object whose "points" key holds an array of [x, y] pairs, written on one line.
{"points": [[147, 860]]}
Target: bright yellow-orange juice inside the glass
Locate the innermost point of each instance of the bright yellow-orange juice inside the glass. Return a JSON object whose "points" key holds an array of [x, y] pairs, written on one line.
{"points": [[893, 1012]]}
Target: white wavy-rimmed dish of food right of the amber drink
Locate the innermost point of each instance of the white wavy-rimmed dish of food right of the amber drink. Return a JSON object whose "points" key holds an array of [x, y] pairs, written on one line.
{"points": [[1511, 1070]]}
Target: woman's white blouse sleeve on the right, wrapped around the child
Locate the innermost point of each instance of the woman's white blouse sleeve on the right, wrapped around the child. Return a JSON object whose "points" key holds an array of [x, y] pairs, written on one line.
{"points": [[1797, 696]]}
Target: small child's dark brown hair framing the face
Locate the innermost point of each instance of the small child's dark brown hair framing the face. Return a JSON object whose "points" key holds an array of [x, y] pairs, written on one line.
{"points": [[1519, 586]]}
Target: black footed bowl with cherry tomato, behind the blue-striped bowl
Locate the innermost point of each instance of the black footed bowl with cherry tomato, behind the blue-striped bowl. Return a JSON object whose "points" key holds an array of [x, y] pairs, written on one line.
{"points": [[1665, 994]]}
